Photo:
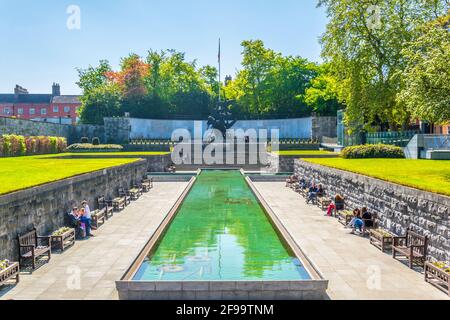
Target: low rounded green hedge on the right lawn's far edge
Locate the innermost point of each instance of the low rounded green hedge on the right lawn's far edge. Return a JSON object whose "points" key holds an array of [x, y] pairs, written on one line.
{"points": [[373, 151]]}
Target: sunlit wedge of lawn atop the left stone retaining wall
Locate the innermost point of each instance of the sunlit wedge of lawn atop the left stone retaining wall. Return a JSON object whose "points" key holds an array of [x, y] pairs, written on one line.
{"points": [[24, 172]]}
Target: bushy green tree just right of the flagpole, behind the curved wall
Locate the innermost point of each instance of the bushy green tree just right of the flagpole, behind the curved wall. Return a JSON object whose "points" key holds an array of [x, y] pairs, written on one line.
{"points": [[269, 83]]}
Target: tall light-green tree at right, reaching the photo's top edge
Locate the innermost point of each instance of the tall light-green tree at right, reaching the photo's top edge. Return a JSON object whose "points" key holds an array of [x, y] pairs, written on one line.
{"points": [[363, 42]]}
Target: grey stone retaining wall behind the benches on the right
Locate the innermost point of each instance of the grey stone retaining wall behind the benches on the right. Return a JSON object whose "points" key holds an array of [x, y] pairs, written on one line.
{"points": [[398, 207]]}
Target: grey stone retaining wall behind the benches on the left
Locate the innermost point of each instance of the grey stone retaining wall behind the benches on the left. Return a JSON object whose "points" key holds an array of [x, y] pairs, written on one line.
{"points": [[45, 207]]}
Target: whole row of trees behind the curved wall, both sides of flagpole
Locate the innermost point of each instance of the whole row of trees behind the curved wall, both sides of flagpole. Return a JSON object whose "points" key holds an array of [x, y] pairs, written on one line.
{"points": [[165, 85]]}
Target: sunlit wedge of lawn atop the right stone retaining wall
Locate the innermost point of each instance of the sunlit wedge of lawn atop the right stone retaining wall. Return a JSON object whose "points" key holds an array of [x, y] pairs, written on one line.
{"points": [[429, 175]]}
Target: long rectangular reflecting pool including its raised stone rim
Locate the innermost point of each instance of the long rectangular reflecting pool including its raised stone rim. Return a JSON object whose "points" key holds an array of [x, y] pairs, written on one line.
{"points": [[221, 241]]}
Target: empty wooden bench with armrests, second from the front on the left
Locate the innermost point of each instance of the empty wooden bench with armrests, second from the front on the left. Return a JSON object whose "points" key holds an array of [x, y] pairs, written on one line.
{"points": [[32, 246]]}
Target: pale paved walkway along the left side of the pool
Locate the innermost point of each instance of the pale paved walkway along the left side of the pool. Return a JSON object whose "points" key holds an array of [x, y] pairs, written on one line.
{"points": [[89, 269]]}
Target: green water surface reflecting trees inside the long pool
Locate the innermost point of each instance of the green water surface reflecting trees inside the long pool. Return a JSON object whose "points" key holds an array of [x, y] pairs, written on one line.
{"points": [[221, 233]]}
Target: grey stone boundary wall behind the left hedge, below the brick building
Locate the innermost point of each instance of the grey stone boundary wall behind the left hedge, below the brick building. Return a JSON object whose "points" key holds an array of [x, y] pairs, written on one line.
{"points": [[73, 133]]}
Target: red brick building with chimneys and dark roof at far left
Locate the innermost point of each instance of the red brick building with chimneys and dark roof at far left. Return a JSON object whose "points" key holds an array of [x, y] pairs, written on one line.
{"points": [[52, 107]]}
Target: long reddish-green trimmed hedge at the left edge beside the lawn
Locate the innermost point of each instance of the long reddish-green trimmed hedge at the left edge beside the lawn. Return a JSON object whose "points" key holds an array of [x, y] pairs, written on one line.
{"points": [[15, 145]]}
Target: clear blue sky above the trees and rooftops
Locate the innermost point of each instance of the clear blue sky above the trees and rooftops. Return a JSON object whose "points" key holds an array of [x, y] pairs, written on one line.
{"points": [[38, 49]]}
